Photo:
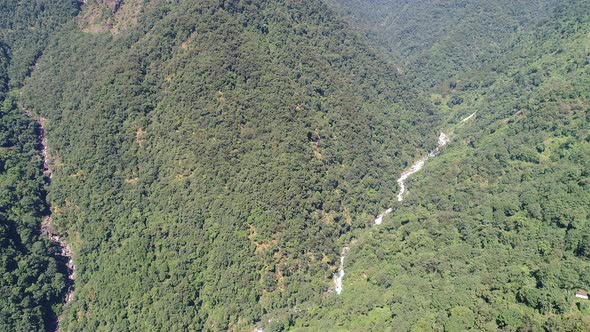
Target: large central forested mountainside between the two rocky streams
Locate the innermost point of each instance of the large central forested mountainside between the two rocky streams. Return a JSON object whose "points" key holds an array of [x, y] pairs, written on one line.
{"points": [[208, 156]]}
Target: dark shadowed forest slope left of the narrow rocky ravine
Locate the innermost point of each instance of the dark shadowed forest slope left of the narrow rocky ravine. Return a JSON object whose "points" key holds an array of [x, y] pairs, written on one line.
{"points": [[32, 283]]}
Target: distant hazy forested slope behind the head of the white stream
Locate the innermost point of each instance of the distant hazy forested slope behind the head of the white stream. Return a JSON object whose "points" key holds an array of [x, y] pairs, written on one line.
{"points": [[434, 40]]}
